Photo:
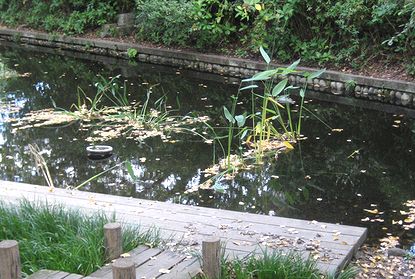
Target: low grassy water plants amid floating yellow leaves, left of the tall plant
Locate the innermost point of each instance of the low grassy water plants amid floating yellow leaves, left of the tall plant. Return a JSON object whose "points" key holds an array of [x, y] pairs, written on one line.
{"points": [[110, 114]]}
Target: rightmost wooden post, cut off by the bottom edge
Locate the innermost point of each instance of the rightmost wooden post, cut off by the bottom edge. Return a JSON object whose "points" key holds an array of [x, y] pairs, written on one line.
{"points": [[211, 257]]}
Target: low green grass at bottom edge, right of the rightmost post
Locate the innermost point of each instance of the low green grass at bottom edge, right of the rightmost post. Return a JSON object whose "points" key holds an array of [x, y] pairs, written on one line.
{"points": [[276, 265]]}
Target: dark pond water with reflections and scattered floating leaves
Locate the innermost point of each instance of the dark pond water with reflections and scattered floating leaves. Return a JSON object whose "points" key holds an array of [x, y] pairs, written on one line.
{"points": [[331, 176]]}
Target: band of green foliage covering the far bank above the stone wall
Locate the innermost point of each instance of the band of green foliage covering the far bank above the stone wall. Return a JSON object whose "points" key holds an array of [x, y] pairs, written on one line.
{"points": [[350, 33]]}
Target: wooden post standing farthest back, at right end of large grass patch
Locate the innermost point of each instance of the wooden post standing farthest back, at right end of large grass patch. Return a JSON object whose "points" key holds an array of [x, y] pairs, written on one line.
{"points": [[112, 241]]}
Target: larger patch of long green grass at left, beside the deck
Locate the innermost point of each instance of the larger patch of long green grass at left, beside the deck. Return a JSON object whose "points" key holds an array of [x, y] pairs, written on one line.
{"points": [[54, 237]]}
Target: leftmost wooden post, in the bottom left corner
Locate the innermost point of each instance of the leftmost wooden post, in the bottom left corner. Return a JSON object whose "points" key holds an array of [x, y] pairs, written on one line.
{"points": [[9, 260]]}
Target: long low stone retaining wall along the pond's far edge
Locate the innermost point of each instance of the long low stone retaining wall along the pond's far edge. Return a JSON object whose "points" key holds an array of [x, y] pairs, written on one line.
{"points": [[335, 83]]}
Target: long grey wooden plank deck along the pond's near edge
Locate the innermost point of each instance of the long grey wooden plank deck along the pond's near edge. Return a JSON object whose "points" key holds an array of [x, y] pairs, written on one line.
{"points": [[186, 226]]}
